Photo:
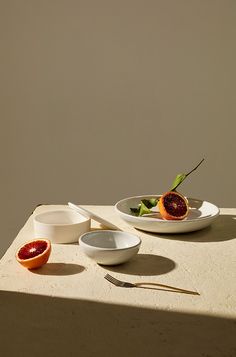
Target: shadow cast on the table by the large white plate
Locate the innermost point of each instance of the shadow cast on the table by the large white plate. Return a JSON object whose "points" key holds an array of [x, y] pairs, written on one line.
{"points": [[224, 228]]}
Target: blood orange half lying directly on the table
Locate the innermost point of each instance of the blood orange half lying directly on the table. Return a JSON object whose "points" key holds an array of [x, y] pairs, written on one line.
{"points": [[34, 254]]}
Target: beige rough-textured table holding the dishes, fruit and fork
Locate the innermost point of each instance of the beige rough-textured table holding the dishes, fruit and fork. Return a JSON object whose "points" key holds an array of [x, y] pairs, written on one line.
{"points": [[67, 308]]}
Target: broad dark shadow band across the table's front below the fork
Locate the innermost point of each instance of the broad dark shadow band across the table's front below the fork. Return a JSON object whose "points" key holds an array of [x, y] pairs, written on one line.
{"points": [[57, 327]]}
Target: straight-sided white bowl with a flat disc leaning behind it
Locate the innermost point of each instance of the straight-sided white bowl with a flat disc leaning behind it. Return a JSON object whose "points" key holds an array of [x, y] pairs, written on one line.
{"points": [[61, 226]]}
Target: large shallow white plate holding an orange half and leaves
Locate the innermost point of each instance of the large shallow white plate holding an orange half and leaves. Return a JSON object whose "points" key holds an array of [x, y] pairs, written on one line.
{"points": [[201, 215]]}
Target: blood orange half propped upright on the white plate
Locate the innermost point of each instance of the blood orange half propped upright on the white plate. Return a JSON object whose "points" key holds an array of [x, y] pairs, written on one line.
{"points": [[173, 206]]}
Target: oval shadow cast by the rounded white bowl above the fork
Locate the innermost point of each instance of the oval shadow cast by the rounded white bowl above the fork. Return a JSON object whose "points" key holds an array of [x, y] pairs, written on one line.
{"points": [[144, 264]]}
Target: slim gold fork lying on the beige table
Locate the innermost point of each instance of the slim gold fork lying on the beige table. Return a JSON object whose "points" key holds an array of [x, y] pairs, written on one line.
{"points": [[126, 284]]}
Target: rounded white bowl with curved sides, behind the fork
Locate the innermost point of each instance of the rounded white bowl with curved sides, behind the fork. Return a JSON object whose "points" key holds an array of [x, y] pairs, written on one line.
{"points": [[108, 247]]}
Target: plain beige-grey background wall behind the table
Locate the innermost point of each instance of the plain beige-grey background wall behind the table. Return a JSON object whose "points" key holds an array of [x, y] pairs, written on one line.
{"points": [[100, 100]]}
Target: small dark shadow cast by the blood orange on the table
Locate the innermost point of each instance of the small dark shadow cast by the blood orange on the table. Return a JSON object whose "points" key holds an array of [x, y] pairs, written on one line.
{"points": [[59, 269]]}
